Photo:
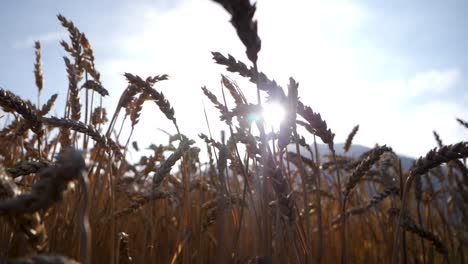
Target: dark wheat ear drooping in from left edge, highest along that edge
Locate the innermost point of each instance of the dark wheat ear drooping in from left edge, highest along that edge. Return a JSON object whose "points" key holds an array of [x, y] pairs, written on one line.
{"points": [[14, 104]]}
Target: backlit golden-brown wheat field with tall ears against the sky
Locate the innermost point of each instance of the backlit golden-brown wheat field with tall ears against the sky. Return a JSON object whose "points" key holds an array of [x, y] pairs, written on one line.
{"points": [[69, 193]]}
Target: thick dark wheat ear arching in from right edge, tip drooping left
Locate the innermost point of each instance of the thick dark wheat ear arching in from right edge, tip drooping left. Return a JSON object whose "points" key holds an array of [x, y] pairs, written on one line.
{"points": [[439, 156]]}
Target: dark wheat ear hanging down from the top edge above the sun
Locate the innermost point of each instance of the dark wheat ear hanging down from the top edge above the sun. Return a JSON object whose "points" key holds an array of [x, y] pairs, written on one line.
{"points": [[242, 13]]}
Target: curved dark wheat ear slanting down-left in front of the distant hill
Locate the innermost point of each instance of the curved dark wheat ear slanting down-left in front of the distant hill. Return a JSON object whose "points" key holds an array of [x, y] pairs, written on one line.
{"points": [[363, 166]]}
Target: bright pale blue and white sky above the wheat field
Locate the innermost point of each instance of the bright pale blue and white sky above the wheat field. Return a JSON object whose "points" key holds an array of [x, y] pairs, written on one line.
{"points": [[397, 68]]}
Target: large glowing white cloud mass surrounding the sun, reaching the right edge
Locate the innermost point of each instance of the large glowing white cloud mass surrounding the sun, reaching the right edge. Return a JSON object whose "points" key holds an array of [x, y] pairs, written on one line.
{"points": [[317, 42]]}
